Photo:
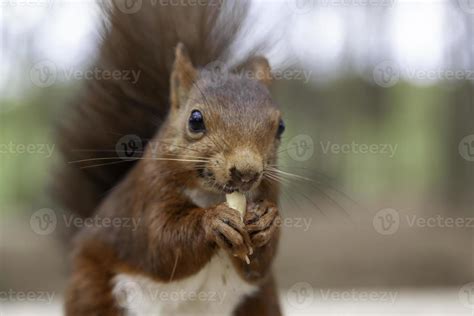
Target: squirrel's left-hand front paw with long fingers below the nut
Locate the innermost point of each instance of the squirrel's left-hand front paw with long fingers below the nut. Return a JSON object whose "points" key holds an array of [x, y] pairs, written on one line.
{"points": [[223, 226]]}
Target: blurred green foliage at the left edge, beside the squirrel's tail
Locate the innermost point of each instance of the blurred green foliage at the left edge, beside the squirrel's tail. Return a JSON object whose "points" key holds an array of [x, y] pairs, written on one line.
{"points": [[29, 120]]}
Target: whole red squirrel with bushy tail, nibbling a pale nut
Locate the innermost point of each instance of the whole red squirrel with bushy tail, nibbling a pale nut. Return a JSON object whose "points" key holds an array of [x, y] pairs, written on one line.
{"points": [[205, 134]]}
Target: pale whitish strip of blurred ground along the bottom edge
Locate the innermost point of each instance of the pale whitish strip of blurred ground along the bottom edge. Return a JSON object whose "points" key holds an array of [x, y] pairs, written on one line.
{"points": [[431, 302]]}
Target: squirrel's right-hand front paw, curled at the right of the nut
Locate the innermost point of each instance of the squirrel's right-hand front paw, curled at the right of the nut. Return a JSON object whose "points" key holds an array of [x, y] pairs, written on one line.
{"points": [[261, 221]]}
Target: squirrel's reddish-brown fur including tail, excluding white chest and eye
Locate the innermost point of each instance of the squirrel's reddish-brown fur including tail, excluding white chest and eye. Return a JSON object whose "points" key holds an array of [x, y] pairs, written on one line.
{"points": [[175, 238]]}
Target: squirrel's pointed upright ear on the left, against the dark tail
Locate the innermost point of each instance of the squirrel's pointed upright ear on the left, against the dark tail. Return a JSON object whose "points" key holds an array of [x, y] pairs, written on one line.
{"points": [[182, 77]]}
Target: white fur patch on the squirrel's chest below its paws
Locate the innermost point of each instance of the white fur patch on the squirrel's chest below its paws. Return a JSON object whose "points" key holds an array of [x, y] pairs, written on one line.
{"points": [[215, 290]]}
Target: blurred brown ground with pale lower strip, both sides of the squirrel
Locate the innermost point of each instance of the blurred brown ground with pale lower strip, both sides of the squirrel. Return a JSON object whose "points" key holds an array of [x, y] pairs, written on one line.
{"points": [[330, 268]]}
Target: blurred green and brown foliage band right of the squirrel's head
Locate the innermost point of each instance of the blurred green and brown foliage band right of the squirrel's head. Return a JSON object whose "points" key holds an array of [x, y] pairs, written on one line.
{"points": [[417, 120]]}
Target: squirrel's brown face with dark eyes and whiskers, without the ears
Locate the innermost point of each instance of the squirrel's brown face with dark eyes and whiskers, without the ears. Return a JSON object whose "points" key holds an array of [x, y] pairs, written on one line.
{"points": [[234, 131]]}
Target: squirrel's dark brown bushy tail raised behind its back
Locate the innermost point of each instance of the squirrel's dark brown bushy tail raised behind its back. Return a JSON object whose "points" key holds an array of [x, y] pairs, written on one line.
{"points": [[138, 46]]}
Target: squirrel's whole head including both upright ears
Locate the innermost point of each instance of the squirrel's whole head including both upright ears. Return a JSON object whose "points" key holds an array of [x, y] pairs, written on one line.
{"points": [[225, 122]]}
